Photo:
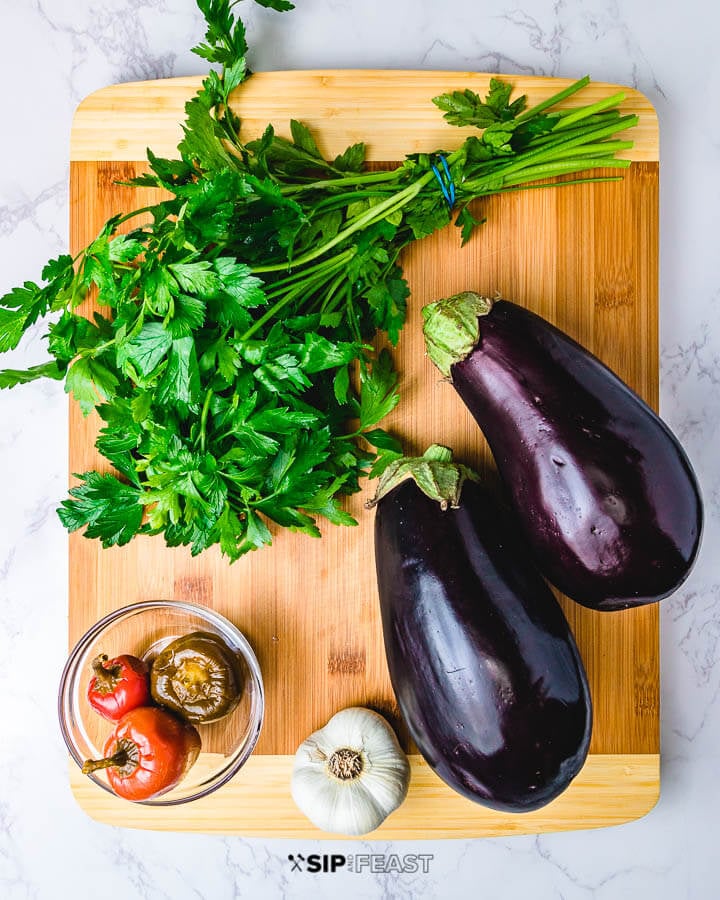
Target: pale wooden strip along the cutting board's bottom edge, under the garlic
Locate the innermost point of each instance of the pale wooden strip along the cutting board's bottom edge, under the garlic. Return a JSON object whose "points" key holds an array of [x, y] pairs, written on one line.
{"points": [[611, 789]]}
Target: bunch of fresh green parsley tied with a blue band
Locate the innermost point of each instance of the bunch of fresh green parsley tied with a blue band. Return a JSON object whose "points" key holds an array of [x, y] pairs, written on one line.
{"points": [[230, 359]]}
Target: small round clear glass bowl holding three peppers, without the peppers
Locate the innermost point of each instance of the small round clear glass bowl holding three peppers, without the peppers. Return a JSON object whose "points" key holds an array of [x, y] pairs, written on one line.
{"points": [[144, 629]]}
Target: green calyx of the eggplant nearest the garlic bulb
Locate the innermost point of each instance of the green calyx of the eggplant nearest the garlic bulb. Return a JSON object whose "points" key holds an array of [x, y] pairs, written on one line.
{"points": [[434, 473]]}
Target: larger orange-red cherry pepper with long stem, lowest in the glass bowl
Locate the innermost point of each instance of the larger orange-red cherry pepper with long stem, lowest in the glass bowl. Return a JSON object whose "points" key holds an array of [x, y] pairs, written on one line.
{"points": [[148, 753]]}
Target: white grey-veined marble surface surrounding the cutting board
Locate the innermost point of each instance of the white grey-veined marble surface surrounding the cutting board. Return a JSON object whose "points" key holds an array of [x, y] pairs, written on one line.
{"points": [[54, 52]]}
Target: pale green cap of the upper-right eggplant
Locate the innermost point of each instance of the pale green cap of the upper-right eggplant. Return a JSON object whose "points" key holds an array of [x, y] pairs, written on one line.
{"points": [[451, 328]]}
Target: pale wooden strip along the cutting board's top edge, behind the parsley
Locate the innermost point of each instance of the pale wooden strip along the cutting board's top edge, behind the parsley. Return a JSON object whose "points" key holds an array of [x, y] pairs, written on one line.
{"points": [[391, 110]]}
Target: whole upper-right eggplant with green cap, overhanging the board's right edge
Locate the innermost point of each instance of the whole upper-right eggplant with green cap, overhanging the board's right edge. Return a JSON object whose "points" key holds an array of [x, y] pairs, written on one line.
{"points": [[604, 492]]}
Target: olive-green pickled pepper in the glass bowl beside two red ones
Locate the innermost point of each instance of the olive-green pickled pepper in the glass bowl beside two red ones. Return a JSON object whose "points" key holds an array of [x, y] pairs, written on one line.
{"points": [[198, 676]]}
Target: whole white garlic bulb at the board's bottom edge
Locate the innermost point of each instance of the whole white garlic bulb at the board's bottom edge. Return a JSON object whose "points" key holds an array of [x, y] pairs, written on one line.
{"points": [[350, 775]]}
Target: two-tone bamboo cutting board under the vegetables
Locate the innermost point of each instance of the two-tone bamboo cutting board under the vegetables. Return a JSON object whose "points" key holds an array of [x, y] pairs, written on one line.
{"points": [[586, 257]]}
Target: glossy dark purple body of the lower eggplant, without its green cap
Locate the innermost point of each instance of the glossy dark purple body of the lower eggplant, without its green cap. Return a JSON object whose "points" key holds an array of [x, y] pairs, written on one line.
{"points": [[484, 667]]}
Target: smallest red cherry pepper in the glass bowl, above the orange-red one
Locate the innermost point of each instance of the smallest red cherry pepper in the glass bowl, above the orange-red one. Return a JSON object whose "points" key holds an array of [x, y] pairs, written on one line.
{"points": [[118, 685]]}
